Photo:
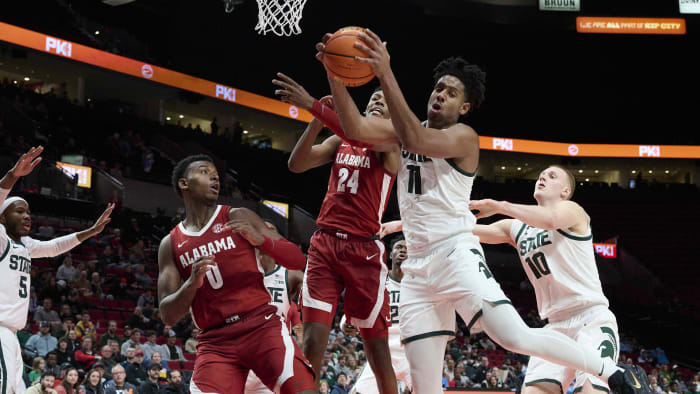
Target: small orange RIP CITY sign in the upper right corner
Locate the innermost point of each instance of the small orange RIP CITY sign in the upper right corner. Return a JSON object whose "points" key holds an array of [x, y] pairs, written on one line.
{"points": [[622, 25]]}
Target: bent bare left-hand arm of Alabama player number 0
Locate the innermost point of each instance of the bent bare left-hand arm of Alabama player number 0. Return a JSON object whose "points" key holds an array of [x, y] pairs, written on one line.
{"points": [[174, 296]]}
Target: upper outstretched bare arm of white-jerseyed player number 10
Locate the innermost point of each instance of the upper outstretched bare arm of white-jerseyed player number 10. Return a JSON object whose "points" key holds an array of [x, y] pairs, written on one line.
{"points": [[564, 214]]}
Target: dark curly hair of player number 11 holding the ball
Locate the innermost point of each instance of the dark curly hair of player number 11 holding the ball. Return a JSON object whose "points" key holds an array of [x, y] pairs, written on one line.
{"points": [[473, 78]]}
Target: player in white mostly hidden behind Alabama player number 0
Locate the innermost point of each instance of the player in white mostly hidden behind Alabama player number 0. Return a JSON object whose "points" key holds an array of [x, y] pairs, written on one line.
{"points": [[284, 286]]}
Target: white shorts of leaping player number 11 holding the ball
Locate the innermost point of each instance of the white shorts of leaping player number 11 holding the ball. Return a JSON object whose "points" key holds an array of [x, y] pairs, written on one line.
{"points": [[452, 277]]}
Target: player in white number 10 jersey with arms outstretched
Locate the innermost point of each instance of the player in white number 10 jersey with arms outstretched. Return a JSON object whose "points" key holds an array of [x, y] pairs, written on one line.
{"points": [[555, 245]]}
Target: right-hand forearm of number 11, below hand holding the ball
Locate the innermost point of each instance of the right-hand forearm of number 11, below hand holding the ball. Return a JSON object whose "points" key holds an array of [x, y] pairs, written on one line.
{"points": [[407, 126]]}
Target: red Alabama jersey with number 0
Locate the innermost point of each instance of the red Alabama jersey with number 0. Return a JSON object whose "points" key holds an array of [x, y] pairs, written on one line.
{"points": [[235, 285]]}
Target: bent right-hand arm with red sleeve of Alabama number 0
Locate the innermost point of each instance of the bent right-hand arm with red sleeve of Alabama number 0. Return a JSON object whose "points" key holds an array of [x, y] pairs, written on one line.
{"points": [[251, 227]]}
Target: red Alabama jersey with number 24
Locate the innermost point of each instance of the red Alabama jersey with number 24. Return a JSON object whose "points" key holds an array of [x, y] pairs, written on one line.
{"points": [[358, 192]]}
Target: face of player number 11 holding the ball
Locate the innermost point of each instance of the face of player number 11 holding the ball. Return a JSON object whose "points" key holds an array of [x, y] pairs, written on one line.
{"points": [[447, 101]]}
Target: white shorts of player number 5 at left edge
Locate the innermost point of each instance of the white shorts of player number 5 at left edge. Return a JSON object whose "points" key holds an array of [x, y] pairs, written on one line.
{"points": [[11, 364]]}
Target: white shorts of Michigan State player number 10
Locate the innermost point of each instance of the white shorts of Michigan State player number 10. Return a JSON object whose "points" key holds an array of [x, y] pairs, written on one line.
{"points": [[595, 328]]}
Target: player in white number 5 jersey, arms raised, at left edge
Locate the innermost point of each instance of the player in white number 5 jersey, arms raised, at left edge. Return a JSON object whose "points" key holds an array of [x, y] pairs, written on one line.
{"points": [[16, 251]]}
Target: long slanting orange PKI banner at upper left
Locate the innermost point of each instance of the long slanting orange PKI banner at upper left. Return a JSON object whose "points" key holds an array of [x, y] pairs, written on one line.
{"points": [[56, 46]]}
